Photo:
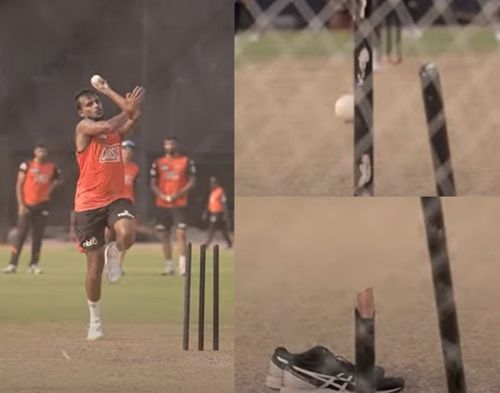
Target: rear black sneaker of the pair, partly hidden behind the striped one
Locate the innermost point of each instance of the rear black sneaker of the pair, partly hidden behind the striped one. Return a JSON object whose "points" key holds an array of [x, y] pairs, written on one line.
{"points": [[317, 359]]}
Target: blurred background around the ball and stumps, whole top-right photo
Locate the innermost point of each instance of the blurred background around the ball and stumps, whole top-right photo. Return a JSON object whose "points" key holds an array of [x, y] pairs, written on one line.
{"points": [[294, 59]]}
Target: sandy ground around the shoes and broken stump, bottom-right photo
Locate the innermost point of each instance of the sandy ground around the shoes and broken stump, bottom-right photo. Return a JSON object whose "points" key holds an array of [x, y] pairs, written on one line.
{"points": [[301, 260]]}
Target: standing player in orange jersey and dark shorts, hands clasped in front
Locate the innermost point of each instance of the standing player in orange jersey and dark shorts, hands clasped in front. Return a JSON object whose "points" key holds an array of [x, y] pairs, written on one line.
{"points": [[172, 176]]}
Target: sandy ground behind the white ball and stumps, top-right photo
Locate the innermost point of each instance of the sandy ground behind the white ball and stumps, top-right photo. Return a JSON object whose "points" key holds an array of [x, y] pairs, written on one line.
{"points": [[288, 141]]}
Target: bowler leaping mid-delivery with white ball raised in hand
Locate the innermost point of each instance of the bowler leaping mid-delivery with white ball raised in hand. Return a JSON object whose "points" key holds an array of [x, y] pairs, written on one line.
{"points": [[100, 199]]}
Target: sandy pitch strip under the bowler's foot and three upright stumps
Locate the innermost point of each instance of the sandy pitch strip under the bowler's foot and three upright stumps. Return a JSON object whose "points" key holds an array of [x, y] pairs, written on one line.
{"points": [[56, 359]]}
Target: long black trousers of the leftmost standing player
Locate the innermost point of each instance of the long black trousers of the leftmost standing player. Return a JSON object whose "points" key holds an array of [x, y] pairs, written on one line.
{"points": [[35, 219]]}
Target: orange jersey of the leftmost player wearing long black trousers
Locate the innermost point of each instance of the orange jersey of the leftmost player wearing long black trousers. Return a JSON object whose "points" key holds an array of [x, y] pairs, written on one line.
{"points": [[38, 181]]}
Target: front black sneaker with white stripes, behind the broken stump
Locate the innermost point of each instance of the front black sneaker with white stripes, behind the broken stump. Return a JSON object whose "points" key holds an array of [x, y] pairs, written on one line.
{"points": [[300, 380]]}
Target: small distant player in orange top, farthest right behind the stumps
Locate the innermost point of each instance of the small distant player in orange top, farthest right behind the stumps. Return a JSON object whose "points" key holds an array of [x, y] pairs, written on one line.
{"points": [[217, 213]]}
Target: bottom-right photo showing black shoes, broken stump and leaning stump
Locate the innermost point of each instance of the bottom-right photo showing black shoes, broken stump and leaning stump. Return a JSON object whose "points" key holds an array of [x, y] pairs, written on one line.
{"points": [[367, 295]]}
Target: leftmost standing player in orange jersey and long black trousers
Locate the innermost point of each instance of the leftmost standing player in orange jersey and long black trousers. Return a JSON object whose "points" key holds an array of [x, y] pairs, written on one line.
{"points": [[36, 179]]}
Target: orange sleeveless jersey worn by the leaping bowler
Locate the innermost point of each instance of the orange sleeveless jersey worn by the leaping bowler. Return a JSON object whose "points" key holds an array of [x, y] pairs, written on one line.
{"points": [[101, 179]]}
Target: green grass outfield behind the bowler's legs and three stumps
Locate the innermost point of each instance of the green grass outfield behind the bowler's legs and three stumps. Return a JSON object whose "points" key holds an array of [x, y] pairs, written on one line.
{"points": [[142, 297]]}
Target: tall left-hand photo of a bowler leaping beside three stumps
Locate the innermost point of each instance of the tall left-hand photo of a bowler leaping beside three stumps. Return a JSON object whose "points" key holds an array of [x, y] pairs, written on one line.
{"points": [[116, 196]]}
